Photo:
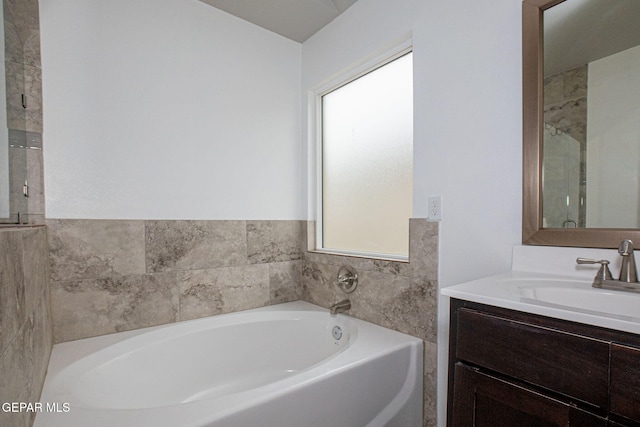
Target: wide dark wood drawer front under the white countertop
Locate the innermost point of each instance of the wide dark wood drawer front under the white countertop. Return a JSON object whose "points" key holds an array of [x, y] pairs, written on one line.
{"points": [[569, 364]]}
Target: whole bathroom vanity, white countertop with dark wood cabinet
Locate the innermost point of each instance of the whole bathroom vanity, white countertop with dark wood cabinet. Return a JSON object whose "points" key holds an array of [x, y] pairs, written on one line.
{"points": [[540, 346]]}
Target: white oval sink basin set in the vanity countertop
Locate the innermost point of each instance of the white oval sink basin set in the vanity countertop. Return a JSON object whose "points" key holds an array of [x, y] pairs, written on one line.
{"points": [[574, 294]]}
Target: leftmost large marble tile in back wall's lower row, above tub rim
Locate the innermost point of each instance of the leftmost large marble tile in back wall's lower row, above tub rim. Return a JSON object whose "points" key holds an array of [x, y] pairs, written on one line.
{"points": [[85, 308]]}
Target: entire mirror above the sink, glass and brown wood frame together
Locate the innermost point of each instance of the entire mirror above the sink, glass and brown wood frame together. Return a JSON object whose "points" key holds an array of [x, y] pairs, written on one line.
{"points": [[573, 87]]}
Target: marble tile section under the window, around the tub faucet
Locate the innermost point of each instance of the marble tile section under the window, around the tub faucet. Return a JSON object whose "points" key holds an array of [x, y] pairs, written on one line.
{"points": [[397, 295]]}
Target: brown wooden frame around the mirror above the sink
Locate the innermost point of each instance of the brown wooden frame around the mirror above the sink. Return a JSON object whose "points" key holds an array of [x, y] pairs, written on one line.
{"points": [[534, 224]]}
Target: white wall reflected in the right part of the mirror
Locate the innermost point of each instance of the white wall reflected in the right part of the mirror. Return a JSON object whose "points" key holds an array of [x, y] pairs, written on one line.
{"points": [[613, 136]]}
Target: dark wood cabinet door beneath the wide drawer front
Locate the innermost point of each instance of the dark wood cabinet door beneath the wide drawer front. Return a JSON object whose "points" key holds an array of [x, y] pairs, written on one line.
{"points": [[482, 400]]}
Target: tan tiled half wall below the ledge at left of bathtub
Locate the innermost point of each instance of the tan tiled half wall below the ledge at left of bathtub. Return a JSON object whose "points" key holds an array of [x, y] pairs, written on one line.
{"points": [[25, 319]]}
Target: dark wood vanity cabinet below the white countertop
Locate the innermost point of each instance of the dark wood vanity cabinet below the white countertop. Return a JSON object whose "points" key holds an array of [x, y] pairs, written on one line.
{"points": [[508, 368]]}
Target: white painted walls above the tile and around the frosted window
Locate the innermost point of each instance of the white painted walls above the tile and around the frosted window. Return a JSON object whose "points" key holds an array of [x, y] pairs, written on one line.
{"points": [[171, 109]]}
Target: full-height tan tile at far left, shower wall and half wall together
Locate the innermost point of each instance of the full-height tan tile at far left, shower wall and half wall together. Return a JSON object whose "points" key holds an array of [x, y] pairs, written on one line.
{"points": [[25, 310]]}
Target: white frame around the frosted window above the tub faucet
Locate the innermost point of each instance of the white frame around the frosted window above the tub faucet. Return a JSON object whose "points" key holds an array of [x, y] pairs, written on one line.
{"points": [[367, 65]]}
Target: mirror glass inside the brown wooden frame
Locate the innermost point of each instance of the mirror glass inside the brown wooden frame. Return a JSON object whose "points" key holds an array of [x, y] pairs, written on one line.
{"points": [[591, 115]]}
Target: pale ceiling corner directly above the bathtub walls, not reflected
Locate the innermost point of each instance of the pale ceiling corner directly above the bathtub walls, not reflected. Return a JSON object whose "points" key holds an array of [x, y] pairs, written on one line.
{"points": [[294, 19]]}
